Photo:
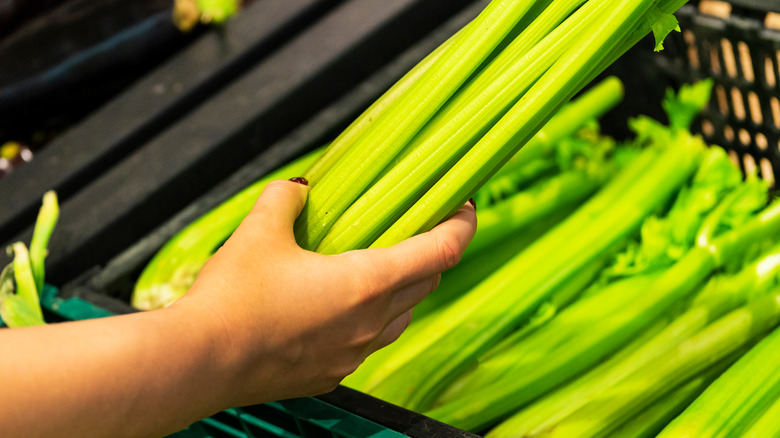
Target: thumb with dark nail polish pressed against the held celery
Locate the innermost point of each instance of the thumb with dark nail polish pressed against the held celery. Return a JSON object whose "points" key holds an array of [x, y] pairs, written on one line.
{"points": [[277, 207]]}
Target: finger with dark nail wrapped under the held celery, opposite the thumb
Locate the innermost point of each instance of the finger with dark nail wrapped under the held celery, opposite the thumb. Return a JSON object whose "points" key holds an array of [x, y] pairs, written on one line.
{"points": [[427, 254]]}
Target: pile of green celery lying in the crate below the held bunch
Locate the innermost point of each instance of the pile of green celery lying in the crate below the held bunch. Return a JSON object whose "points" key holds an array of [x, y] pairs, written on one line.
{"points": [[611, 322]]}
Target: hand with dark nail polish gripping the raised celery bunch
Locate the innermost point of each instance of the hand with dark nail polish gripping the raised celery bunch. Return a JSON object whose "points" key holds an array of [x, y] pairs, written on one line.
{"points": [[290, 322]]}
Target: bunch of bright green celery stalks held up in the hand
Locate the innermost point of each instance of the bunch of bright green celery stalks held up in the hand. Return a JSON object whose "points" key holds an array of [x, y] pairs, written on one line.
{"points": [[428, 144]]}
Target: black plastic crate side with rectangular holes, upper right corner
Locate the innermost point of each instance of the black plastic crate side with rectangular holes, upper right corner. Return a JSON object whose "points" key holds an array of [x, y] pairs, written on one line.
{"points": [[732, 44]]}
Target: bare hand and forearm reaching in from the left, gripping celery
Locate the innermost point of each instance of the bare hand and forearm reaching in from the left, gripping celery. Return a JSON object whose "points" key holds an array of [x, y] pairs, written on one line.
{"points": [[265, 320]]}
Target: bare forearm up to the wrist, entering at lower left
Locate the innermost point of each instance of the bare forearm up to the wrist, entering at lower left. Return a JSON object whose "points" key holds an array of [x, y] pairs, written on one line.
{"points": [[137, 375]]}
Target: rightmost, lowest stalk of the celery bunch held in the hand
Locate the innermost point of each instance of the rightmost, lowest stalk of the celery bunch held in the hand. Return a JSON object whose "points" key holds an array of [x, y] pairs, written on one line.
{"points": [[555, 87]]}
